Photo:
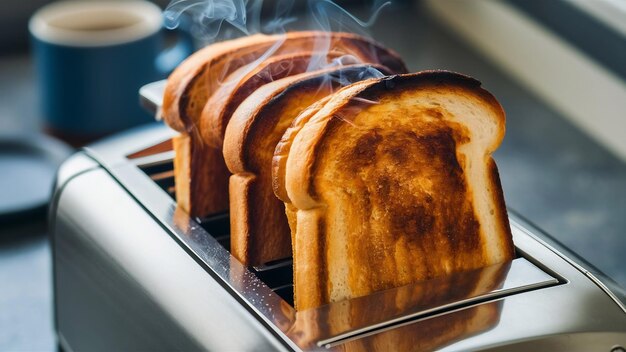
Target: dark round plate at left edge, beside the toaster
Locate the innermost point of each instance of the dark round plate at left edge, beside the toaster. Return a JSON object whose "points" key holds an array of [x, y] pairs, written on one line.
{"points": [[28, 165]]}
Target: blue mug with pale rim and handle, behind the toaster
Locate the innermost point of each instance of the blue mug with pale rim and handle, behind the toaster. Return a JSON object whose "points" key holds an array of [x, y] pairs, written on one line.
{"points": [[91, 59]]}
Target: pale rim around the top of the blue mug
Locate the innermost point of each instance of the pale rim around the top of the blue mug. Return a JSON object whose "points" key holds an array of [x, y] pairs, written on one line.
{"points": [[149, 15]]}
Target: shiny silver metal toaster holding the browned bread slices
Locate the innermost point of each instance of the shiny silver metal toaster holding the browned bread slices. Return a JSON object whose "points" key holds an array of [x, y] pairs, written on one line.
{"points": [[131, 271]]}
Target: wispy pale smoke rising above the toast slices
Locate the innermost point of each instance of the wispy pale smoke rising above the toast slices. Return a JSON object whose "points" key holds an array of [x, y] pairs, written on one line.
{"points": [[211, 20]]}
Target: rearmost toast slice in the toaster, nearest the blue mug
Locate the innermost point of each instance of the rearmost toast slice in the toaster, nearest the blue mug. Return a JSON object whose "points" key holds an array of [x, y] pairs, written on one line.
{"points": [[197, 78]]}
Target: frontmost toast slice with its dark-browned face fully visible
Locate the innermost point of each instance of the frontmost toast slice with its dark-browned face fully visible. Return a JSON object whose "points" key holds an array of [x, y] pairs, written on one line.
{"points": [[393, 183]]}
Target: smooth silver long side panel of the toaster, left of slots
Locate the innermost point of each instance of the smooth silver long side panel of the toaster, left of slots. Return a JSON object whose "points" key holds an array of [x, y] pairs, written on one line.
{"points": [[122, 283]]}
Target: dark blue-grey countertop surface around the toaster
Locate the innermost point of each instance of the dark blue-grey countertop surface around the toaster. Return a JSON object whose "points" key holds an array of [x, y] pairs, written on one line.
{"points": [[552, 173]]}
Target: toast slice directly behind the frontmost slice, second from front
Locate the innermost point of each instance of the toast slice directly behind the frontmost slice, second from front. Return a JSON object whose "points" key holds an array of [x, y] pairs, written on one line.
{"points": [[259, 228]]}
